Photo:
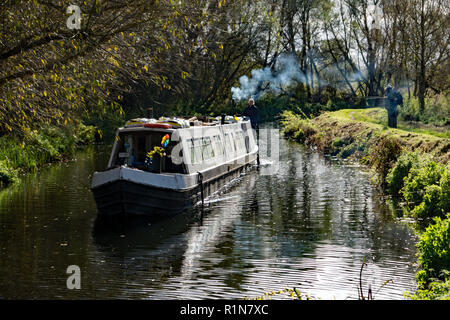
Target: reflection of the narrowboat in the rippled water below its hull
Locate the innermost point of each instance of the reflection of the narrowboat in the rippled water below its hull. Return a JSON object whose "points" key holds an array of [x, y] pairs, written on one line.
{"points": [[153, 251]]}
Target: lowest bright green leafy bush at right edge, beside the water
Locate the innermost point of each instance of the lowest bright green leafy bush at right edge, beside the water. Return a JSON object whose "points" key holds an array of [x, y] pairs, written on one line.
{"points": [[434, 253]]}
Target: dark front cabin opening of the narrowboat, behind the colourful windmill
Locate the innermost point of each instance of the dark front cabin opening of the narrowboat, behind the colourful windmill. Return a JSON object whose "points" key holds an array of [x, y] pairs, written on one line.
{"points": [[133, 149]]}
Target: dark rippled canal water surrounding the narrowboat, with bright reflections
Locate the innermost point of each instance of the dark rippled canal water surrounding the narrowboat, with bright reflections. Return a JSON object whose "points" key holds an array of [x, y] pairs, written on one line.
{"points": [[309, 225]]}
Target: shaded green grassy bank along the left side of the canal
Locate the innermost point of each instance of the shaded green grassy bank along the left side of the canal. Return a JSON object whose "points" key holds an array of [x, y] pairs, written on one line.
{"points": [[19, 154]]}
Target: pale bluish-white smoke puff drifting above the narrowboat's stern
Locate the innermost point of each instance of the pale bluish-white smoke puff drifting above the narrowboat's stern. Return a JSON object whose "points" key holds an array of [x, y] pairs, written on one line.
{"points": [[287, 70]]}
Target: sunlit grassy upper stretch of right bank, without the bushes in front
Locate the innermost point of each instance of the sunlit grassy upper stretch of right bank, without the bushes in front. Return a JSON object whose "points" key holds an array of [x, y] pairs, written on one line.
{"points": [[354, 132]]}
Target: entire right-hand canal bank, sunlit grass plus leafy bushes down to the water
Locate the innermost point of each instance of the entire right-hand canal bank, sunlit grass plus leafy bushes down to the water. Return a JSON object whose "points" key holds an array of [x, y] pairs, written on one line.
{"points": [[411, 164]]}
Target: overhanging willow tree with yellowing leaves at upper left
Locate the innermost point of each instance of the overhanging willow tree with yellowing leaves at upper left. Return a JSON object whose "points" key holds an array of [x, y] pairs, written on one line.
{"points": [[52, 74]]}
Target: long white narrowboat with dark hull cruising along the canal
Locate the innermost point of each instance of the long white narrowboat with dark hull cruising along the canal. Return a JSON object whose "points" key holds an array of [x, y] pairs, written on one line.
{"points": [[159, 168]]}
